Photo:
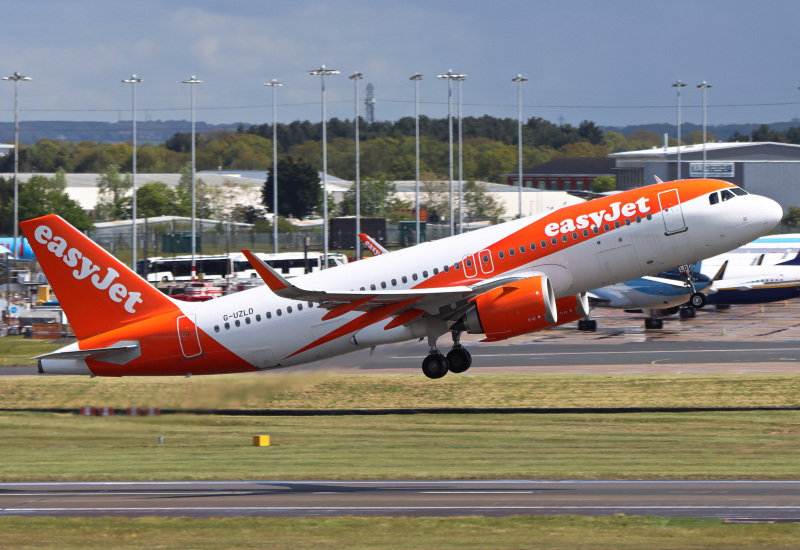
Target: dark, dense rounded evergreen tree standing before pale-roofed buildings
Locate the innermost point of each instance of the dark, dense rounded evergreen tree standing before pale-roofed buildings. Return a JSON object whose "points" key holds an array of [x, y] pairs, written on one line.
{"points": [[299, 189]]}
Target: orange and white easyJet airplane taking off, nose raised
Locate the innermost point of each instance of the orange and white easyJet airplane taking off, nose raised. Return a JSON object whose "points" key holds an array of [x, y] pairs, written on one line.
{"points": [[503, 281]]}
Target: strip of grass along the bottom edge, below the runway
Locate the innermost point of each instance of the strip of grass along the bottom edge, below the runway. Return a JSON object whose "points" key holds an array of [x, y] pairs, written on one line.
{"points": [[618, 532]]}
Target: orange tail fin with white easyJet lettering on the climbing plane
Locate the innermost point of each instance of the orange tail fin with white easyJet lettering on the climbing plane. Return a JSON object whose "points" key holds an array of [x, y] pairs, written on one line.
{"points": [[97, 292]]}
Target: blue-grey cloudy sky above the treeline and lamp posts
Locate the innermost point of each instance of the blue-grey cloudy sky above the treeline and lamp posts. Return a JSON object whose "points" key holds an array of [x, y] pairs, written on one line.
{"points": [[612, 61]]}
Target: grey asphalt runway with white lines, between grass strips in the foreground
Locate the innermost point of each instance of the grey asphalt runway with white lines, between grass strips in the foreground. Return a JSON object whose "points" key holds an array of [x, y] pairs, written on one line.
{"points": [[732, 500]]}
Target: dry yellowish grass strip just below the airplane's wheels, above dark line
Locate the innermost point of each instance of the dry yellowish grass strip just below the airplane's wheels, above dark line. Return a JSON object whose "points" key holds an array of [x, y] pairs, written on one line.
{"points": [[319, 390]]}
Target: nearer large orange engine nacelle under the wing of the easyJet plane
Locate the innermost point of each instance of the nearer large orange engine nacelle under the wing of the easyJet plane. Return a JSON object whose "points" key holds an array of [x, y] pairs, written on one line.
{"points": [[510, 310]]}
